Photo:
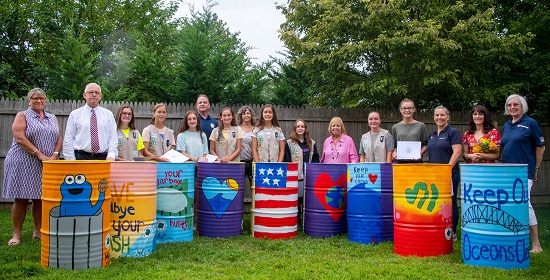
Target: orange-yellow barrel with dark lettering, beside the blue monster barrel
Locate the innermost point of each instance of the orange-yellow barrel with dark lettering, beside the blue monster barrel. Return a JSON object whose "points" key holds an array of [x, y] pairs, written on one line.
{"points": [[134, 192]]}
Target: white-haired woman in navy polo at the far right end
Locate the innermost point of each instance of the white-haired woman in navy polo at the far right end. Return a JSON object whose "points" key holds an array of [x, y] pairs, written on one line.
{"points": [[523, 142]]}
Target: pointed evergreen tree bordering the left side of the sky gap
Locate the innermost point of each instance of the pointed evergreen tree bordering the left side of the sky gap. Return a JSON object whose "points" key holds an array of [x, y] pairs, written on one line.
{"points": [[213, 61]]}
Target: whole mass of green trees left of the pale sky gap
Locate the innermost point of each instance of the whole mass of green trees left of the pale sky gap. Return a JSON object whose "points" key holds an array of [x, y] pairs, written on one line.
{"points": [[136, 50]]}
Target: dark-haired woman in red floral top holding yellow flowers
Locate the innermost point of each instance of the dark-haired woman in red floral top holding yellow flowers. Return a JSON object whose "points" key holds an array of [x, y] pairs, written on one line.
{"points": [[481, 142]]}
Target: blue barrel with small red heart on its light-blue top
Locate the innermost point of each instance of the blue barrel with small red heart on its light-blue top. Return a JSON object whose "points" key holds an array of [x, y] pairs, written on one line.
{"points": [[370, 202]]}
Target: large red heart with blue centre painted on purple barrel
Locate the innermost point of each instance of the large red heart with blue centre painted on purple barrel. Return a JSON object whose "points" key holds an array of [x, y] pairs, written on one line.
{"points": [[332, 195]]}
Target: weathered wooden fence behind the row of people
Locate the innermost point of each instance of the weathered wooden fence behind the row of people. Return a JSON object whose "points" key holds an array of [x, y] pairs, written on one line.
{"points": [[317, 120]]}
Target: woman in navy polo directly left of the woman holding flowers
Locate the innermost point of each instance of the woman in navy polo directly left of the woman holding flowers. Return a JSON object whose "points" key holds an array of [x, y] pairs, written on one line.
{"points": [[445, 146]]}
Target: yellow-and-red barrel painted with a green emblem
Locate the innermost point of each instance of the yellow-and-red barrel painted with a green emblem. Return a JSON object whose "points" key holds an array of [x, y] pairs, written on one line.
{"points": [[422, 209]]}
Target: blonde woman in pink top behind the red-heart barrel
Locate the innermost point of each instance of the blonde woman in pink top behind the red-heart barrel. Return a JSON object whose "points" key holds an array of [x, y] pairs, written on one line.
{"points": [[338, 147]]}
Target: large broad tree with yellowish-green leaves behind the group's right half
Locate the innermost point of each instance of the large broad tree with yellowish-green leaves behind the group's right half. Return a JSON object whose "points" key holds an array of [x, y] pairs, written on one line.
{"points": [[375, 53]]}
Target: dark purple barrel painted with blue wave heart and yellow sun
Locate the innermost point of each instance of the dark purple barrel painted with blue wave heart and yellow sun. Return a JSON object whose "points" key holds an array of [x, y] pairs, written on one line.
{"points": [[220, 192]]}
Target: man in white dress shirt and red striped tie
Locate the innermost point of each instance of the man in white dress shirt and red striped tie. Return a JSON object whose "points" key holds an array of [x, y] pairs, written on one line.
{"points": [[77, 143]]}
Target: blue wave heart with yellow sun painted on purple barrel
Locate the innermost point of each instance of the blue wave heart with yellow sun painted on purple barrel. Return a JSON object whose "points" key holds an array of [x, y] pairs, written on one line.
{"points": [[219, 194]]}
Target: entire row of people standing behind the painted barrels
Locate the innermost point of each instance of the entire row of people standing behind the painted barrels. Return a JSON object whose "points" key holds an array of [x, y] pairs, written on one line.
{"points": [[92, 132]]}
